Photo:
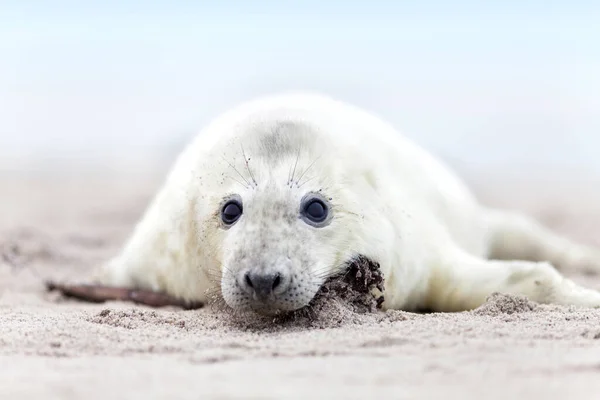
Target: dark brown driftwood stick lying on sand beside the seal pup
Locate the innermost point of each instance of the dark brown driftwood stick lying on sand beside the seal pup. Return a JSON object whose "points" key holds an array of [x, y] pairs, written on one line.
{"points": [[100, 294]]}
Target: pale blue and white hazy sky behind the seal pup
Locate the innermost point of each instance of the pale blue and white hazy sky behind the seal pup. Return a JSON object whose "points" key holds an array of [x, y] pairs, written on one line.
{"points": [[466, 79]]}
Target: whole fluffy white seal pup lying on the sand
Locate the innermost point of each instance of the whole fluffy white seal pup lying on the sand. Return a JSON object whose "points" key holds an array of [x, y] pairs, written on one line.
{"points": [[278, 194]]}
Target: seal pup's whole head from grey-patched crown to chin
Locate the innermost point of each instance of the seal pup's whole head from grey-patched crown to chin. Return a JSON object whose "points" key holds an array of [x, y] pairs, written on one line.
{"points": [[284, 226]]}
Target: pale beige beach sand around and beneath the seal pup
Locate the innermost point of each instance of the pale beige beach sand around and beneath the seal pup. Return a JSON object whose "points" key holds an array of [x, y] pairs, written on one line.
{"points": [[58, 226]]}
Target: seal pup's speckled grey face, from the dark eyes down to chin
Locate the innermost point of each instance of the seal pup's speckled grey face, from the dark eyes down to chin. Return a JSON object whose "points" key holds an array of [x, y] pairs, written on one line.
{"points": [[279, 249]]}
